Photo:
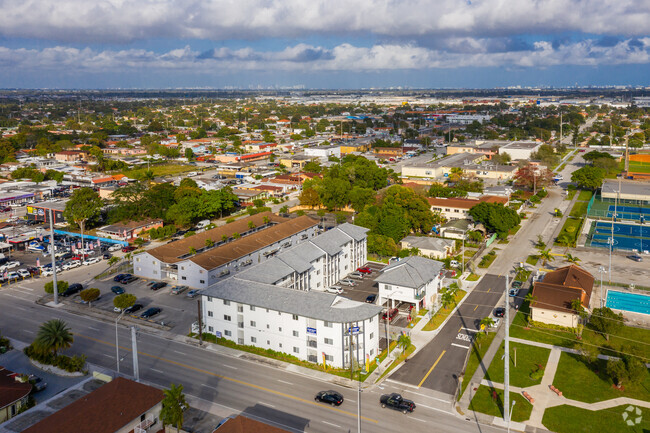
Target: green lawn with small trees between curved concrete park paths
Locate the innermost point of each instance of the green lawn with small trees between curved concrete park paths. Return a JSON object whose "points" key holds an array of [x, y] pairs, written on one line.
{"points": [[590, 383]]}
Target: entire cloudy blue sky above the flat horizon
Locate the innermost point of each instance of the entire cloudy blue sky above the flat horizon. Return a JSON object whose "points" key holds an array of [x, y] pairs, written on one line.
{"points": [[323, 44]]}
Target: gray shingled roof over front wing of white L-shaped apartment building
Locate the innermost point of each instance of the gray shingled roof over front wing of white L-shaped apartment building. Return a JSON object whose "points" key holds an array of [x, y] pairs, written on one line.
{"points": [[312, 304]]}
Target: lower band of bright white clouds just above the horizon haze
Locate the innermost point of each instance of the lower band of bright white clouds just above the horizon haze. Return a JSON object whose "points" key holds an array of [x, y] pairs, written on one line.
{"points": [[307, 58]]}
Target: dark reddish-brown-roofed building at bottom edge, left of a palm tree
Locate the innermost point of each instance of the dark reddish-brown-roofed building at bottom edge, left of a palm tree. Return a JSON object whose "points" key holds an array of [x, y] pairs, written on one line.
{"points": [[119, 406]]}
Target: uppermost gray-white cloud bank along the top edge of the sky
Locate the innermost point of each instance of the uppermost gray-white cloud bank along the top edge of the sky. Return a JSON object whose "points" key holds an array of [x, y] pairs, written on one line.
{"points": [[120, 21]]}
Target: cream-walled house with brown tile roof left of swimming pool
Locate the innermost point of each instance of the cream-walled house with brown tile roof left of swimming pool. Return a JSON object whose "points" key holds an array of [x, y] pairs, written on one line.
{"points": [[555, 292]]}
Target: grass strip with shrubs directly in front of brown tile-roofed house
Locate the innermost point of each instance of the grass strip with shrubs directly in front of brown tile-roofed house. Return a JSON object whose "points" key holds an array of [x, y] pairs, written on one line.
{"points": [[626, 336]]}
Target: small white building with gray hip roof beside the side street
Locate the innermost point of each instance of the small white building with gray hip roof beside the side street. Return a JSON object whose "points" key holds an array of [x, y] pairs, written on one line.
{"points": [[414, 280]]}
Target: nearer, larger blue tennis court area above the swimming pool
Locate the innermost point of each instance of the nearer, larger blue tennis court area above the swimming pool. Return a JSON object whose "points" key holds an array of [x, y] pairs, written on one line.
{"points": [[627, 237]]}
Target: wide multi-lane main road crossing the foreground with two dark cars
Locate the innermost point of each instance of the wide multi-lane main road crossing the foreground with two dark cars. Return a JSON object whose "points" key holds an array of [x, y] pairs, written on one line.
{"points": [[231, 384]]}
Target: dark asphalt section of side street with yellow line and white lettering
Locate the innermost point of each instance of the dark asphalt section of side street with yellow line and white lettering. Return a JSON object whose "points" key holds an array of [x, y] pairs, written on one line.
{"points": [[438, 365]]}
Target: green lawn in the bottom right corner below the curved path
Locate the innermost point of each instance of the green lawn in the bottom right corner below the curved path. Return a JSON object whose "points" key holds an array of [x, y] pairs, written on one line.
{"points": [[571, 419]]}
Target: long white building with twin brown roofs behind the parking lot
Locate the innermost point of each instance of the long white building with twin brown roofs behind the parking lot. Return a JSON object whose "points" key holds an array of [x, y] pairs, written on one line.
{"points": [[205, 258]]}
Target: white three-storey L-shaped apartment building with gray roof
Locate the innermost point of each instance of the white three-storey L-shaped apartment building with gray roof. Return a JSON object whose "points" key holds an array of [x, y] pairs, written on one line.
{"points": [[280, 304]]}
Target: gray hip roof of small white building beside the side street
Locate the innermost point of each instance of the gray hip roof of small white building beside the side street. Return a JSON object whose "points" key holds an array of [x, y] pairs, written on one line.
{"points": [[412, 272]]}
